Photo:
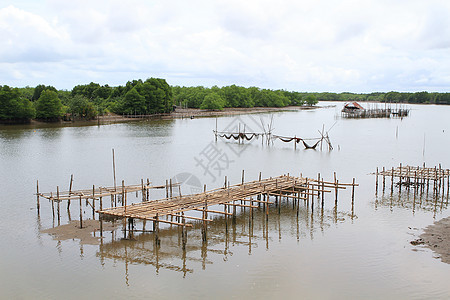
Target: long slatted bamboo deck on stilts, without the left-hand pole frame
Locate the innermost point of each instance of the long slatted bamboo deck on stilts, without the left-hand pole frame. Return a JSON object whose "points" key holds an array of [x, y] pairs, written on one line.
{"points": [[247, 195]]}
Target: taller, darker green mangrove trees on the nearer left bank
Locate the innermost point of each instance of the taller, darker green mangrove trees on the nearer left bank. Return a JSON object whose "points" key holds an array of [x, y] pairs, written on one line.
{"points": [[47, 103]]}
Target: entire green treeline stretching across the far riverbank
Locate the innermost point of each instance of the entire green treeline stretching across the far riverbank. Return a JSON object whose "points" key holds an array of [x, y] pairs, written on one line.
{"points": [[155, 95]]}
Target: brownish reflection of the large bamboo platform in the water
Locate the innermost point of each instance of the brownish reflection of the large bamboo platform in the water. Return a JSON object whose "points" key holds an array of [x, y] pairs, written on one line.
{"points": [[249, 230]]}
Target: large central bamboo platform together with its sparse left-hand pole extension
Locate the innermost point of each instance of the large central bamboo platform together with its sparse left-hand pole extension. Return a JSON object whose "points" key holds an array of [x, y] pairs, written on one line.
{"points": [[247, 195]]}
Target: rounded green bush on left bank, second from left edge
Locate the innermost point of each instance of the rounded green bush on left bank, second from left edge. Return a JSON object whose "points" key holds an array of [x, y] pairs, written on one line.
{"points": [[49, 106]]}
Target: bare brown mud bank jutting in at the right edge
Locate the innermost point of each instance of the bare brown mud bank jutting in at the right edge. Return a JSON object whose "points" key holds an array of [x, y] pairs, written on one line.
{"points": [[437, 238]]}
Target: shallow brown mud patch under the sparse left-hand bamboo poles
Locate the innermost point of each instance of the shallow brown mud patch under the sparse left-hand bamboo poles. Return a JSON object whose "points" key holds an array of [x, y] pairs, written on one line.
{"points": [[85, 235]]}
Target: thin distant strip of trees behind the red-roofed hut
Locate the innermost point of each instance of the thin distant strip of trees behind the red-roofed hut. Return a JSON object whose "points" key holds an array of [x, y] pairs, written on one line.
{"points": [[390, 97]]}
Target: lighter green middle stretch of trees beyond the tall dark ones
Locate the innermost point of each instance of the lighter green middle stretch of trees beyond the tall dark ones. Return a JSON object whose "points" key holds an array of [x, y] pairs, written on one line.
{"points": [[237, 96]]}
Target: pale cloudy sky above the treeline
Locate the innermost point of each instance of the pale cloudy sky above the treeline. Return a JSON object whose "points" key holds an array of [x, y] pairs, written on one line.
{"points": [[359, 46]]}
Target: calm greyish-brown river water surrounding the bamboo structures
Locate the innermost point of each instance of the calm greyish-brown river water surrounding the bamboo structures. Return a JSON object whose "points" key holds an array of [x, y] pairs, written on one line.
{"points": [[319, 254]]}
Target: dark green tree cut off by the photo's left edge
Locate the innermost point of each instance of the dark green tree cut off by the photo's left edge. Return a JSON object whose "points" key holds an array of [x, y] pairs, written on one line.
{"points": [[13, 106]]}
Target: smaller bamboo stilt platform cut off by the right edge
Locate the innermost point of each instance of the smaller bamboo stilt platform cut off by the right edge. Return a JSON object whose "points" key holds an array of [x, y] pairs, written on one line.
{"points": [[418, 178]]}
